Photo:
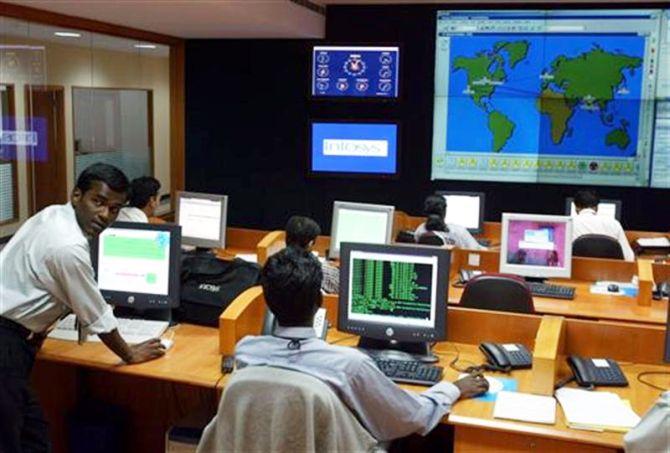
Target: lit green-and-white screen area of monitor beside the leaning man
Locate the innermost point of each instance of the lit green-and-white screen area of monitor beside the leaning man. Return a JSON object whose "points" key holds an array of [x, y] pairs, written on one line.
{"points": [[134, 261]]}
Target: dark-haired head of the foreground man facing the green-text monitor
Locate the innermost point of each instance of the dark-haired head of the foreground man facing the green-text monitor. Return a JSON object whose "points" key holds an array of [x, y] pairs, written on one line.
{"points": [[291, 281]]}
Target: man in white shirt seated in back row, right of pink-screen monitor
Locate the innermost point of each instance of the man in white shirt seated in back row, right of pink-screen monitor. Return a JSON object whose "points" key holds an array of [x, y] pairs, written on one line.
{"points": [[587, 221]]}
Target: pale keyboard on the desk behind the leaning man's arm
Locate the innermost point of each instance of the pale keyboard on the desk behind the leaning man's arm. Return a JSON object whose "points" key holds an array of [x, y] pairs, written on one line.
{"points": [[132, 330]]}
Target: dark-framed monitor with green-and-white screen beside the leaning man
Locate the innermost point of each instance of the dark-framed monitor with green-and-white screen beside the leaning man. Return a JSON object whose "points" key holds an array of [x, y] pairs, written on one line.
{"points": [[137, 264]]}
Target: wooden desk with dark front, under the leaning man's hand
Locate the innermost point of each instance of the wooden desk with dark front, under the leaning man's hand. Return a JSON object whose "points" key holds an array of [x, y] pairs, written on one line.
{"points": [[155, 395]]}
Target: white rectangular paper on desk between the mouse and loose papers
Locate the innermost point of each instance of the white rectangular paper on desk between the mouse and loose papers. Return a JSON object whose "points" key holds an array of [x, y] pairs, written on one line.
{"points": [[525, 407]]}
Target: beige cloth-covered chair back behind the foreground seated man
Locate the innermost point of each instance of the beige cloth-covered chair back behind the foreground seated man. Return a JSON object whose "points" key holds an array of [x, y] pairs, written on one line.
{"points": [[274, 409]]}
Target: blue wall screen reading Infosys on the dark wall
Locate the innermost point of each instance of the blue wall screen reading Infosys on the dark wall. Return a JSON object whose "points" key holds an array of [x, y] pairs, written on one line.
{"points": [[370, 148]]}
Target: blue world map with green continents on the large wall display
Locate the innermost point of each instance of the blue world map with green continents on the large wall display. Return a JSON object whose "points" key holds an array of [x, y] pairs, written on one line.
{"points": [[545, 95]]}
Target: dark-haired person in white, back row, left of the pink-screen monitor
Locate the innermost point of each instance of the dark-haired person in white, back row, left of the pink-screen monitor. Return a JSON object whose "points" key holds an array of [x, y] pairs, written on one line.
{"points": [[435, 208]]}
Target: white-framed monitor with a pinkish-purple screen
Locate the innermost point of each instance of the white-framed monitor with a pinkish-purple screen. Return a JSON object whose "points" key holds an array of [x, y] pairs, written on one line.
{"points": [[536, 246]]}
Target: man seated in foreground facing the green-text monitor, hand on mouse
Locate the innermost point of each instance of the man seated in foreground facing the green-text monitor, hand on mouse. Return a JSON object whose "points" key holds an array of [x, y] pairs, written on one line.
{"points": [[291, 281]]}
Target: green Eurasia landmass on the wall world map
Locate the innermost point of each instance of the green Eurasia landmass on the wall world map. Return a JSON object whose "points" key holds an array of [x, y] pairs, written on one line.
{"points": [[591, 77]]}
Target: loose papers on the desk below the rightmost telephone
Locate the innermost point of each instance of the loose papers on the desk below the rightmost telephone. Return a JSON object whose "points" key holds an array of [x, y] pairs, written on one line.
{"points": [[586, 409]]}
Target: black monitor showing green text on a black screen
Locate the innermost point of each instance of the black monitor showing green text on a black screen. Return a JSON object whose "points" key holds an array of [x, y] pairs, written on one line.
{"points": [[394, 296]]}
